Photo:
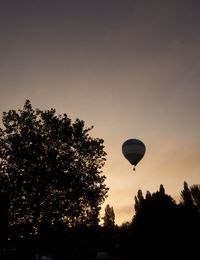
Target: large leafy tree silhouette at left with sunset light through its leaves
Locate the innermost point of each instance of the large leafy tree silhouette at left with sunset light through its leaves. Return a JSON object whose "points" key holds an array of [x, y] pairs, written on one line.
{"points": [[50, 168]]}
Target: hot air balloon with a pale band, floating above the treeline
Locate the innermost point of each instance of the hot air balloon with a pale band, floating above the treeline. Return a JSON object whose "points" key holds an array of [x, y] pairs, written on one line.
{"points": [[133, 150]]}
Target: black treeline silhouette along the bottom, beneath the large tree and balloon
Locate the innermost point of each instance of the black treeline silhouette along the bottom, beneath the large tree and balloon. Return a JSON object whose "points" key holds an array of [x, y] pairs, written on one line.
{"points": [[160, 227]]}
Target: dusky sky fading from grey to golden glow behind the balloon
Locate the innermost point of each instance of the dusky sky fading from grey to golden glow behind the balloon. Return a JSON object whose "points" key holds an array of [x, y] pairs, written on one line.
{"points": [[130, 68]]}
